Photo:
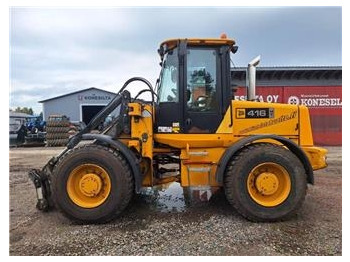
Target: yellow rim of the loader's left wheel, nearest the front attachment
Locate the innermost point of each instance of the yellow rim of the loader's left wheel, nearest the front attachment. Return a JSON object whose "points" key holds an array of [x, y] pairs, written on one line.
{"points": [[88, 185]]}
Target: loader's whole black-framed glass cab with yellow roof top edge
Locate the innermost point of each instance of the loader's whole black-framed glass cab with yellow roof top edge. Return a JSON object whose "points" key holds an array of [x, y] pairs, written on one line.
{"points": [[194, 91]]}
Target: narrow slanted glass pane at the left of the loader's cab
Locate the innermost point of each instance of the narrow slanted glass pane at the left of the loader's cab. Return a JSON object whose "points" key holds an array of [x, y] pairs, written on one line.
{"points": [[169, 87]]}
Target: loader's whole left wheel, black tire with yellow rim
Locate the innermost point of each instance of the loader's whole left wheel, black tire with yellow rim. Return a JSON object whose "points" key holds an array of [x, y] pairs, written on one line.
{"points": [[92, 184]]}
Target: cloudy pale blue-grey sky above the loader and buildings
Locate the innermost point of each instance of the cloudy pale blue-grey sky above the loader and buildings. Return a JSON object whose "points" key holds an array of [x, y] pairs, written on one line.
{"points": [[55, 51]]}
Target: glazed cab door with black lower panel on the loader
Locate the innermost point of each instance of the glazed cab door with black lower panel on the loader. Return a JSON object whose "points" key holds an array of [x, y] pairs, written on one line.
{"points": [[203, 92]]}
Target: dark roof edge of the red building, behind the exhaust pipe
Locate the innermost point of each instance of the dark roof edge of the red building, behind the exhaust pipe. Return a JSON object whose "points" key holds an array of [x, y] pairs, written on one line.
{"points": [[290, 73]]}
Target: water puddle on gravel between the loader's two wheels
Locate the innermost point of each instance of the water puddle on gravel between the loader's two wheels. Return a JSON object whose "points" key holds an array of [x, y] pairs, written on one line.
{"points": [[172, 197]]}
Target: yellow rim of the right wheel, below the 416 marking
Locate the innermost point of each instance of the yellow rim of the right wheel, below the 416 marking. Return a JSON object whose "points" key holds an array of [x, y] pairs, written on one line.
{"points": [[269, 184]]}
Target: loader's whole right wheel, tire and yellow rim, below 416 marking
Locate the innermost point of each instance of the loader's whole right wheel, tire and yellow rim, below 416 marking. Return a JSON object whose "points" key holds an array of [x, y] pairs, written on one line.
{"points": [[265, 182]]}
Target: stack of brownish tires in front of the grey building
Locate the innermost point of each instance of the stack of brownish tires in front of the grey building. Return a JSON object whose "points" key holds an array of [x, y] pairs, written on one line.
{"points": [[57, 131]]}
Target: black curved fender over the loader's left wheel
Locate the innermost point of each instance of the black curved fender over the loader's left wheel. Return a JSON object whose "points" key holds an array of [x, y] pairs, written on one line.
{"points": [[125, 151]]}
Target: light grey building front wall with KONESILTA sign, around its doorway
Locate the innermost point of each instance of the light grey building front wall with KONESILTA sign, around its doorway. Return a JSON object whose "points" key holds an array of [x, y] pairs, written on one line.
{"points": [[71, 105]]}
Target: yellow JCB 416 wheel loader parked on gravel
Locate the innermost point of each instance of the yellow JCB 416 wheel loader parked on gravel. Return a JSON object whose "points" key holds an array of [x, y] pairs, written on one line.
{"points": [[192, 132]]}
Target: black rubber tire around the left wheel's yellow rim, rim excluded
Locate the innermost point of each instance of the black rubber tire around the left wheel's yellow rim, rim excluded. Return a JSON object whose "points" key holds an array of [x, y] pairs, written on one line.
{"points": [[121, 184]]}
